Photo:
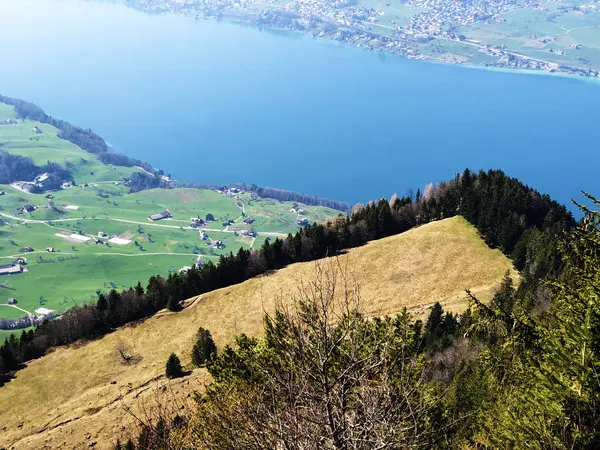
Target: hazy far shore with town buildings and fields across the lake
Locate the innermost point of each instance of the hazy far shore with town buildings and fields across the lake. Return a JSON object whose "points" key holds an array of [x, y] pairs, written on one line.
{"points": [[450, 32]]}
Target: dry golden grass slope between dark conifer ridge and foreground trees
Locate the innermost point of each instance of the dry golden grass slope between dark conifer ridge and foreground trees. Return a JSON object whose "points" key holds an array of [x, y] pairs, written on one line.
{"points": [[77, 396]]}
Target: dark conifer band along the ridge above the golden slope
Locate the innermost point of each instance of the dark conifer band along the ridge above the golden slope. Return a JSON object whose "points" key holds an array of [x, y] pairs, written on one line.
{"points": [[522, 223]]}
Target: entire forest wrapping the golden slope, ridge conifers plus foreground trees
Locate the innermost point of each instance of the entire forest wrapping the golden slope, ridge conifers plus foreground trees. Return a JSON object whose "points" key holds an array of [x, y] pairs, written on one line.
{"points": [[443, 383]]}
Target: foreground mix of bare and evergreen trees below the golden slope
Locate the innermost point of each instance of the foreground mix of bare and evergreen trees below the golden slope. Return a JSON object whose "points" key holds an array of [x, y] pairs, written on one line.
{"points": [[518, 372]]}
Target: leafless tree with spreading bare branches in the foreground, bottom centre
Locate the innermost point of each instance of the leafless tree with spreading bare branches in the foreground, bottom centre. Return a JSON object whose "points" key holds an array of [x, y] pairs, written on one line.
{"points": [[325, 378]]}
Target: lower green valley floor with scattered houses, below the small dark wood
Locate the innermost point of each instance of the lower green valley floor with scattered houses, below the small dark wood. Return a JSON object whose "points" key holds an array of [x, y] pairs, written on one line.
{"points": [[48, 230]]}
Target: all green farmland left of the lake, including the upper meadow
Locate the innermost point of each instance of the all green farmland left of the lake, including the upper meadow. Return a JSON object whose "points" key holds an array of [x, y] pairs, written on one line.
{"points": [[100, 202]]}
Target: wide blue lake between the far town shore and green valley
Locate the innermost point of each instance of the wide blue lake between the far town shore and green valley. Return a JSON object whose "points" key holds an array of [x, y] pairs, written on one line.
{"points": [[216, 103]]}
